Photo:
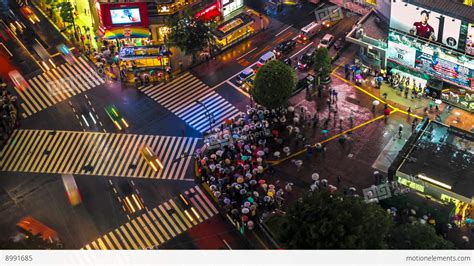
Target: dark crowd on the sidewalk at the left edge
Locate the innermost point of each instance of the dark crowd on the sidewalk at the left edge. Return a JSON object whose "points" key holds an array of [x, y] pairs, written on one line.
{"points": [[9, 112]]}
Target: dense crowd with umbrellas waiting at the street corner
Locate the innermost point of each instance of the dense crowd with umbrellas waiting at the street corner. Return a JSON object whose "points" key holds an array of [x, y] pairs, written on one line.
{"points": [[234, 163]]}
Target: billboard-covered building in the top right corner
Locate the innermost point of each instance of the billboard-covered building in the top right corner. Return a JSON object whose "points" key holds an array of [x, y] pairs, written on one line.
{"points": [[429, 41]]}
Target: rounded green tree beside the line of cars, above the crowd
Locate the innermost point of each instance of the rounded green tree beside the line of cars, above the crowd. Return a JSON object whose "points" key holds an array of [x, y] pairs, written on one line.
{"points": [[274, 84]]}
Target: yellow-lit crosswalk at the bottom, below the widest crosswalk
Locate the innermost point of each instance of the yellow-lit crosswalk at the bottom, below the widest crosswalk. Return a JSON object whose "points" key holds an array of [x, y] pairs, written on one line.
{"points": [[155, 227]]}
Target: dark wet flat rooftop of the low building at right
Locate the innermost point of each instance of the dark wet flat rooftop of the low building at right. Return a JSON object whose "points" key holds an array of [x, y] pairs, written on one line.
{"points": [[444, 154]]}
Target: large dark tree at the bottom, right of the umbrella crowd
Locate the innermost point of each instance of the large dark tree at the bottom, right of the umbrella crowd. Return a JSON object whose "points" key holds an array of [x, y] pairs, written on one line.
{"points": [[333, 221]]}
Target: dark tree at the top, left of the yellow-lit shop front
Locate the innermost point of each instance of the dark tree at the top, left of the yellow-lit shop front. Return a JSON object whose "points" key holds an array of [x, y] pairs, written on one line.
{"points": [[189, 35]]}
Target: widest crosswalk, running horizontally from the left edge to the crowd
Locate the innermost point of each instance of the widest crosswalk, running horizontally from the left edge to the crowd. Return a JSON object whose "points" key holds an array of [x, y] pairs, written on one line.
{"points": [[94, 153]]}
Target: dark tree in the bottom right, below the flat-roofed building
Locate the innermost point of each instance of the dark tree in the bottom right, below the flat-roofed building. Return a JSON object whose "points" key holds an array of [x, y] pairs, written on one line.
{"points": [[416, 236]]}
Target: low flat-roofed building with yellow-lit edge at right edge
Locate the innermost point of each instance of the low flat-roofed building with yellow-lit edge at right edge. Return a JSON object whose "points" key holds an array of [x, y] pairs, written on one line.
{"points": [[436, 163]]}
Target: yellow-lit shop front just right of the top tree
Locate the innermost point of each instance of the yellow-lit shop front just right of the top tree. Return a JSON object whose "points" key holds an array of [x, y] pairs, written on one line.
{"points": [[232, 31]]}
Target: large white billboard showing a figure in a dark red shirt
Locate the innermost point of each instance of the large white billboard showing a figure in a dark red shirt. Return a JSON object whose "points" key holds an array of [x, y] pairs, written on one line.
{"points": [[428, 25]]}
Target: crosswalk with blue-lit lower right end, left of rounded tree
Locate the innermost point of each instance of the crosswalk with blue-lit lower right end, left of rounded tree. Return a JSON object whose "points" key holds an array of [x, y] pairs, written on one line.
{"points": [[186, 97]]}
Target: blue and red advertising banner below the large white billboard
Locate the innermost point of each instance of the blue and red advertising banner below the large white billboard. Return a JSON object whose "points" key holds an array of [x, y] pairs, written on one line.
{"points": [[443, 69]]}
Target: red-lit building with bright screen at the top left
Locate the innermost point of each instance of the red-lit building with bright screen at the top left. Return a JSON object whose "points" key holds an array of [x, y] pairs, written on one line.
{"points": [[120, 19]]}
